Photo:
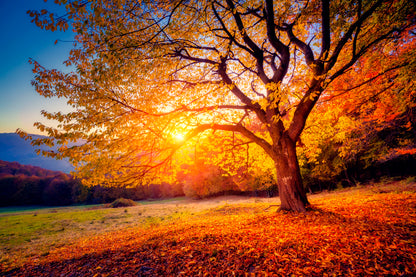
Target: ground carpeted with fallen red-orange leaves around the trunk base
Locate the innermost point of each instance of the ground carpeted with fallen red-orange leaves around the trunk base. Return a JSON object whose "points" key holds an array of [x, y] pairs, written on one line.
{"points": [[345, 234]]}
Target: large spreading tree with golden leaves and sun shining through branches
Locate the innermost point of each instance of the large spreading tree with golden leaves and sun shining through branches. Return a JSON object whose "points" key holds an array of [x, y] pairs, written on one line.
{"points": [[145, 71]]}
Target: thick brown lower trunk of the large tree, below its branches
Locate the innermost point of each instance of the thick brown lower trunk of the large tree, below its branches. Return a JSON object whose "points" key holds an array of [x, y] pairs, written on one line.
{"points": [[289, 181]]}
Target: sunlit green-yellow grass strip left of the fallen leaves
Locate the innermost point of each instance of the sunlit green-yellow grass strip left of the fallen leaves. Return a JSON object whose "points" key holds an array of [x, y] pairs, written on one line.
{"points": [[31, 231]]}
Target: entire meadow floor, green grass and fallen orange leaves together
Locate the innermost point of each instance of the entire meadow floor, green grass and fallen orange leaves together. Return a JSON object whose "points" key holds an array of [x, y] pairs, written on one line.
{"points": [[360, 231]]}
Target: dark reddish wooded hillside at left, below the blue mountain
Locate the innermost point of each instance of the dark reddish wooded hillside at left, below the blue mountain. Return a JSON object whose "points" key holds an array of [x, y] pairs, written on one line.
{"points": [[22, 185]]}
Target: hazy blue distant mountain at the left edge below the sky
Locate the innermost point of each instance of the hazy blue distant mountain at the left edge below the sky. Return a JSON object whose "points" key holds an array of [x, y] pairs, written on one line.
{"points": [[15, 149]]}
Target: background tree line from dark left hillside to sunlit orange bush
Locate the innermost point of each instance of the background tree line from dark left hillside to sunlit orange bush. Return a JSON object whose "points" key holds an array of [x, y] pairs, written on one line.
{"points": [[32, 185]]}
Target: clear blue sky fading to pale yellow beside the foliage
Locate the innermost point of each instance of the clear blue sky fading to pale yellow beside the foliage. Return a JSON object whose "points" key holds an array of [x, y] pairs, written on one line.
{"points": [[20, 40]]}
